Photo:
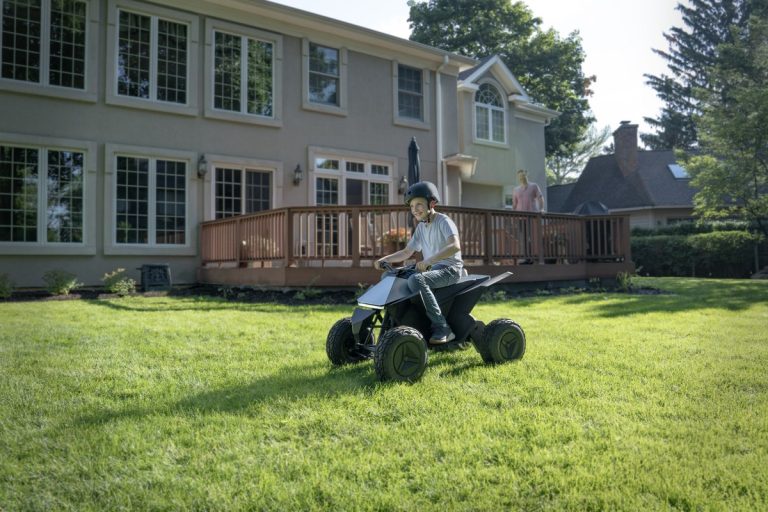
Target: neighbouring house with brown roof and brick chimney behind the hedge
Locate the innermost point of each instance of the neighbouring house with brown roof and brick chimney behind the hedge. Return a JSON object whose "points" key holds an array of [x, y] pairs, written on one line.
{"points": [[649, 186]]}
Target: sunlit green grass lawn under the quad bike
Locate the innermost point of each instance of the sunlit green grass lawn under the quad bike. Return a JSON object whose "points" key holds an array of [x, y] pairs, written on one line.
{"points": [[622, 402]]}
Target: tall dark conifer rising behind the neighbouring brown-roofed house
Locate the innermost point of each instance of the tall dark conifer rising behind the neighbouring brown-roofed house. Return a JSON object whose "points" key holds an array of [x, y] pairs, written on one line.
{"points": [[692, 51]]}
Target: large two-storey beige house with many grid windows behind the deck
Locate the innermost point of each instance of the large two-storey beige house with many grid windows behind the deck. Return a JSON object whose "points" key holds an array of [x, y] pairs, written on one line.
{"points": [[125, 124]]}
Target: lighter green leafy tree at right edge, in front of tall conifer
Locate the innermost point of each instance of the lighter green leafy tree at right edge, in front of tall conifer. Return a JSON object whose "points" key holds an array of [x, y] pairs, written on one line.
{"points": [[732, 171]]}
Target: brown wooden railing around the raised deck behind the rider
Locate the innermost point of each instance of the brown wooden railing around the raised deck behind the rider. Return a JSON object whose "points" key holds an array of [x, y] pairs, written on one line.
{"points": [[311, 236]]}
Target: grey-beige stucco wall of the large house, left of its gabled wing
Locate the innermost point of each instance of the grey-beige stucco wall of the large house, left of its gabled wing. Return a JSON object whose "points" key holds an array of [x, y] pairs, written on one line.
{"points": [[368, 128]]}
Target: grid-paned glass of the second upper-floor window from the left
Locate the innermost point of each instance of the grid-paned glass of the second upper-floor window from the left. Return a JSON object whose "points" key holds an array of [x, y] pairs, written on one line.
{"points": [[147, 44]]}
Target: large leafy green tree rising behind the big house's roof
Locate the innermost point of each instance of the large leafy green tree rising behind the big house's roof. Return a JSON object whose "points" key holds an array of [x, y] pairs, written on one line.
{"points": [[548, 66]]}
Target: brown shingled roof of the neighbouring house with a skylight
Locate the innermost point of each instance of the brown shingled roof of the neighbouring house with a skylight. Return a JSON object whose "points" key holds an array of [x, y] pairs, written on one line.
{"points": [[652, 184]]}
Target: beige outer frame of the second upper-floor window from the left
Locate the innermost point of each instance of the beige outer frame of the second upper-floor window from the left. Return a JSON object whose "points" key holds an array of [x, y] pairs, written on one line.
{"points": [[190, 108]]}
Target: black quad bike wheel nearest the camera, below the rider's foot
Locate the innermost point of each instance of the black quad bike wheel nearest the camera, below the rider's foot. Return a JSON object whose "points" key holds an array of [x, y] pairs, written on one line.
{"points": [[401, 355]]}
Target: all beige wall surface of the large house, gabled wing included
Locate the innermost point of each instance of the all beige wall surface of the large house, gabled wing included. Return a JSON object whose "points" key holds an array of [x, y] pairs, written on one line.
{"points": [[365, 127]]}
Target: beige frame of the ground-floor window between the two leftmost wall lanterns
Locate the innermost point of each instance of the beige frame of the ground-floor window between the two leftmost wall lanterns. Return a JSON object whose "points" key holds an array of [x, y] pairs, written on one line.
{"points": [[233, 162]]}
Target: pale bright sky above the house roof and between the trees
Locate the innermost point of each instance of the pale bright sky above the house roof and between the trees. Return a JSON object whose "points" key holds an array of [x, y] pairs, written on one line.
{"points": [[617, 37]]}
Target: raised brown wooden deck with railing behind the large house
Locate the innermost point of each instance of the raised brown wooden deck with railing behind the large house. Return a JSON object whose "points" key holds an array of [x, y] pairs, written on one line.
{"points": [[336, 246]]}
